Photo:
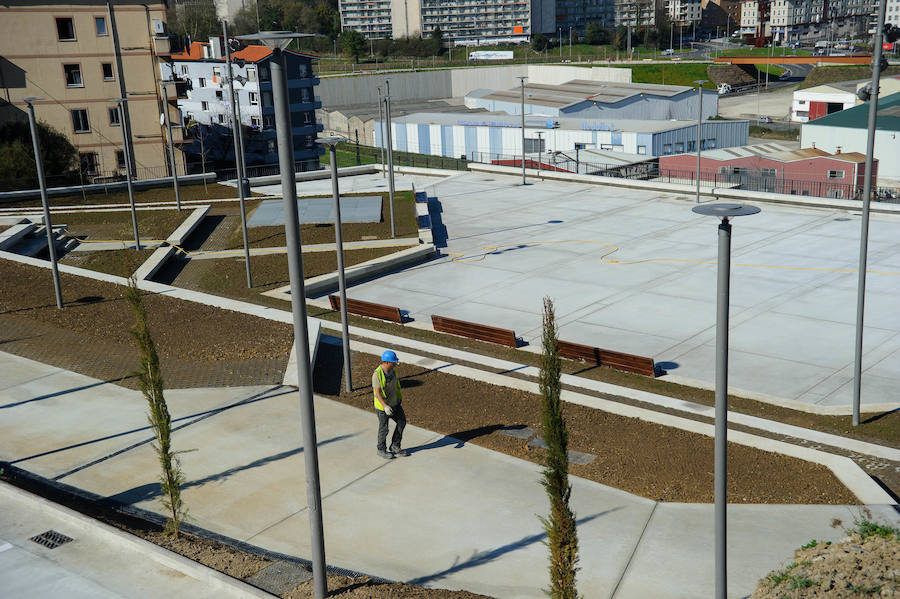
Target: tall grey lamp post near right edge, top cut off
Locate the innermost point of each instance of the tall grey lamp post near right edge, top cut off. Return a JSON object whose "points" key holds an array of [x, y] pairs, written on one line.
{"points": [[867, 197]]}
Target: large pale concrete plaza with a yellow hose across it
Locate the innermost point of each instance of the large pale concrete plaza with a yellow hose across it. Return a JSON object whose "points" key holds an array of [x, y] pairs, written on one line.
{"points": [[634, 271]]}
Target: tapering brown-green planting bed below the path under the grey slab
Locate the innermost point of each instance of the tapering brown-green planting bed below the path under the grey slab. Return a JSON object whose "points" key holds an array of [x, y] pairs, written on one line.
{"points": [[229, 276]]}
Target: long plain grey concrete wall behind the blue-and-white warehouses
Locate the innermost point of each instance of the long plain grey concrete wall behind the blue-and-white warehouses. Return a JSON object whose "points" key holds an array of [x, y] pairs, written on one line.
{"points": [[446, 83]]}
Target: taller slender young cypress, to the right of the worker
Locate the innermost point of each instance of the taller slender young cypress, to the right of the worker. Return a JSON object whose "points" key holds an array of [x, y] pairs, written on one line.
{"points": [[562, 536]]}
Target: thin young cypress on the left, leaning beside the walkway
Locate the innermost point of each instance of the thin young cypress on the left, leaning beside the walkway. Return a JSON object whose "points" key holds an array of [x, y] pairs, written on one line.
{"points": [[151, 385]]}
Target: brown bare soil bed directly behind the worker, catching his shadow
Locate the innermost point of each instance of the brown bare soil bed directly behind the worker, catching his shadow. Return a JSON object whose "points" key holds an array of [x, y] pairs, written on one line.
{"points": [[646, 459]]}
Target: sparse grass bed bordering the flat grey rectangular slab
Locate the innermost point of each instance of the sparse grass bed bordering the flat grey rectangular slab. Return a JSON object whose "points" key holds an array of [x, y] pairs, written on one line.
{"points": [[404, 212]]}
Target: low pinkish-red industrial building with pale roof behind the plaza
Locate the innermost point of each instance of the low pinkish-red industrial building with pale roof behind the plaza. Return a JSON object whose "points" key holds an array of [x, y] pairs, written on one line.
{"points": [[776, 168]]}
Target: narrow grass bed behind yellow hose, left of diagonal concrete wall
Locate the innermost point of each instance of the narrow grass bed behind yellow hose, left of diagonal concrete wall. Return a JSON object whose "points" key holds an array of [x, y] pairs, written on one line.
{"points": [[107, 226]]}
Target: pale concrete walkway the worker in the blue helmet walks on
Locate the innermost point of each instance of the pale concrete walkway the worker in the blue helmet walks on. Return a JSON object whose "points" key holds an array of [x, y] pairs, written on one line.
{"points": [[452, 515]]}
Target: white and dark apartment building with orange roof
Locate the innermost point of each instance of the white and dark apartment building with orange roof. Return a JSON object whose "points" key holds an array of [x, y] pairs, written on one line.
{"points": [[202, 70]]}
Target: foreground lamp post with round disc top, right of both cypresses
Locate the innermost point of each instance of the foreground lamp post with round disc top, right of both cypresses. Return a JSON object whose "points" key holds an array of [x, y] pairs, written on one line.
{"points": [[725, 212]]}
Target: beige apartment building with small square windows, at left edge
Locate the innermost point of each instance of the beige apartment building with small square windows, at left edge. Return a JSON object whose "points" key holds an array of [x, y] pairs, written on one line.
{"points": [[64, 54]]}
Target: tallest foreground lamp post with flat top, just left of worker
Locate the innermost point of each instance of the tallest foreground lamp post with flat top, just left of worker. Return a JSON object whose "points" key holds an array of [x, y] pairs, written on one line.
{"points": [[277, 41]]}
